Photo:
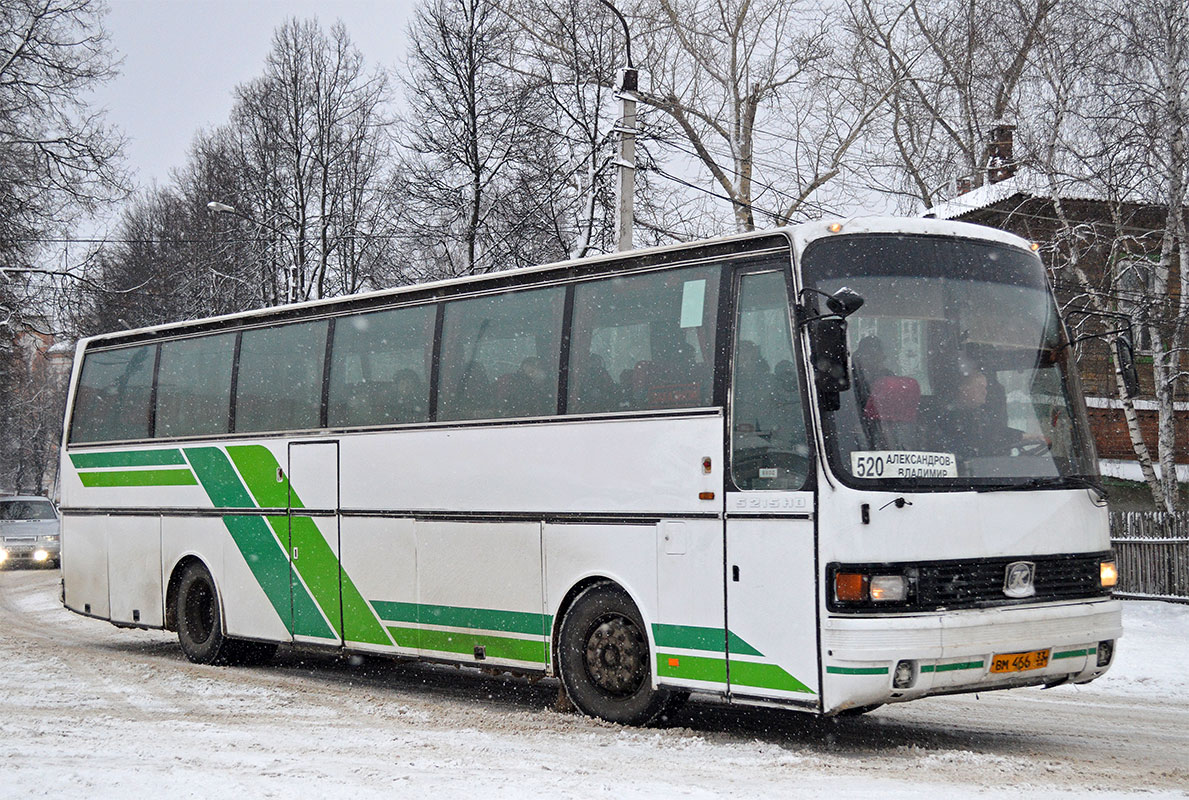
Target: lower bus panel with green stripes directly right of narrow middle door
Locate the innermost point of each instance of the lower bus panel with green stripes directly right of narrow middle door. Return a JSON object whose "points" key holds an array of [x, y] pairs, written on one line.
{"points": [[380, 555]]}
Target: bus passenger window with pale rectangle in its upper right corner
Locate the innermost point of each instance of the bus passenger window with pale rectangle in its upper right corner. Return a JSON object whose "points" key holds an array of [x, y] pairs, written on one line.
{"points": [[644, 342]]}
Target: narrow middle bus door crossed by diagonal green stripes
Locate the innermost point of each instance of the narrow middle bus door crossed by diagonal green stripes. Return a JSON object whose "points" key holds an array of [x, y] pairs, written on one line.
{"points": [[314, 571]]}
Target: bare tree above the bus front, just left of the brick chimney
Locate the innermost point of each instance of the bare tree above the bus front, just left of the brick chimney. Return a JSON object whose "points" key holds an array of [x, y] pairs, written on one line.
{"points": [[953, 70]]}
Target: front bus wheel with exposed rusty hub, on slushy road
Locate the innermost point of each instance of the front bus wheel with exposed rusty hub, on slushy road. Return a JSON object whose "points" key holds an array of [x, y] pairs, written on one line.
{"points": [[605, 659]]}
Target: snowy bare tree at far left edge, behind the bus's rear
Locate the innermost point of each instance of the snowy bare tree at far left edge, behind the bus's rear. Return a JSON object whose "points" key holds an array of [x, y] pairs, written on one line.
{"points": [[58, 160]]}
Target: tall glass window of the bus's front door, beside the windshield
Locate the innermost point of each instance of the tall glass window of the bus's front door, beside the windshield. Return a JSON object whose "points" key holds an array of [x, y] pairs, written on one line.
{"points": [[770, 445]]}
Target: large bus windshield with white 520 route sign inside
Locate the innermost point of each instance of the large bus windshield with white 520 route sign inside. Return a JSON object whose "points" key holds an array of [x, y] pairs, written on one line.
{"points": [[961, 374]]}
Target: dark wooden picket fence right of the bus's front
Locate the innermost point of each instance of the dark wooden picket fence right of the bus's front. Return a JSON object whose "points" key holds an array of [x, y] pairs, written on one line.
{"points": [[1153, 555]]}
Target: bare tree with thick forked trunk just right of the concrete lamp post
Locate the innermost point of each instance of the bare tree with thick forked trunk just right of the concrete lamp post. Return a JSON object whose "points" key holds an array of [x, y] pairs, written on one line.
{"points": [[758, 98]]}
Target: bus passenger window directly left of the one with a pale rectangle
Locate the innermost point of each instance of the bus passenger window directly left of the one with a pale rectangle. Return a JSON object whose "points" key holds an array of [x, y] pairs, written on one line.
{"points": [[501, 356]]}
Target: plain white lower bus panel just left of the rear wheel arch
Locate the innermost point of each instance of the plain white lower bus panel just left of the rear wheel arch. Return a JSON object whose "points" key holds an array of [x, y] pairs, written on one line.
{"points": [[134, 565]]}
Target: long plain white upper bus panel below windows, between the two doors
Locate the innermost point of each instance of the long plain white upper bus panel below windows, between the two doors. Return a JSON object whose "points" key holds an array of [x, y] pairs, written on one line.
{"points": [[650, 467]]}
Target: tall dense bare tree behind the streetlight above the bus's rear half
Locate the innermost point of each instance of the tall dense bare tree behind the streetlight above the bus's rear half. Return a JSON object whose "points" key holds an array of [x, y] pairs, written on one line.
{"points": [[313, 148]]}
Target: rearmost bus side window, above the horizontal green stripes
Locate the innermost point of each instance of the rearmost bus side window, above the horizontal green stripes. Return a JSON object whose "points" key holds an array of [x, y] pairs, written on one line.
{"points": [[115, 394]]}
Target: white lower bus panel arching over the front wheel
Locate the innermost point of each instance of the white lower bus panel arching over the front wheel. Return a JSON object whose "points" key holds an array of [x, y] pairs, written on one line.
{"points": [[622, 553]]}
